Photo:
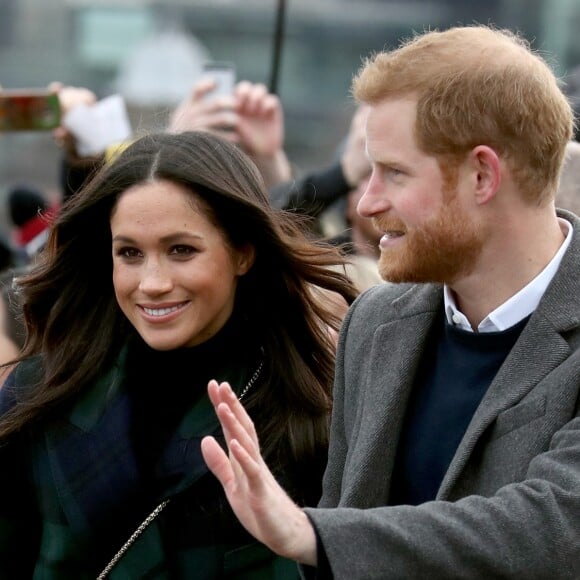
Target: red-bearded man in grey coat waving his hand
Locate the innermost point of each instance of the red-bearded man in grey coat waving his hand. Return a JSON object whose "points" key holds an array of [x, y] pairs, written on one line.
{"points": [[455, 433]]}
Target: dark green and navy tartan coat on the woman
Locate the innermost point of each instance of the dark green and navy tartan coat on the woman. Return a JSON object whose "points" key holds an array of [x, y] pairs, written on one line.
{"points": [[68, 483]]}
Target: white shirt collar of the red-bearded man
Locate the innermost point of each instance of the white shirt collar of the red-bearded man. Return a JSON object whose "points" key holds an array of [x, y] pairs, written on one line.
{"points": [[520, 305]]}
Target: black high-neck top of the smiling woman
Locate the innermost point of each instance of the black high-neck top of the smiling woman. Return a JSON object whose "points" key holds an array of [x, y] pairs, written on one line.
{"points": [[164, 385]]}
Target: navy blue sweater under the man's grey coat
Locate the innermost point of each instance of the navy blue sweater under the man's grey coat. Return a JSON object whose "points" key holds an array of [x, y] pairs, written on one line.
{"points": [[457, 368]]}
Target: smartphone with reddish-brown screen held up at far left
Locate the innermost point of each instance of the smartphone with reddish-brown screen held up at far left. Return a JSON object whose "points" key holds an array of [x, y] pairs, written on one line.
{"points": [[29, 110]]}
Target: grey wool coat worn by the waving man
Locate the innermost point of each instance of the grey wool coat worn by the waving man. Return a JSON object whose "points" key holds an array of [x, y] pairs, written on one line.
{"points": [[509, 504]]}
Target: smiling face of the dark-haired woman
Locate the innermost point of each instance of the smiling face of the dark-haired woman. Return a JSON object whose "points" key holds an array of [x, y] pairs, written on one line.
{"points": [[174, 273]]}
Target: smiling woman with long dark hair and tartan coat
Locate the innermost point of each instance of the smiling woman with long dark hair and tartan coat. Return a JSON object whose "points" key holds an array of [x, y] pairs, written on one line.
{"points": [[168, 270]]}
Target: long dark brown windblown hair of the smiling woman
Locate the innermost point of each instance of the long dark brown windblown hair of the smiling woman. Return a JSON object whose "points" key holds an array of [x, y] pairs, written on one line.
{"points": [[75, 325]]}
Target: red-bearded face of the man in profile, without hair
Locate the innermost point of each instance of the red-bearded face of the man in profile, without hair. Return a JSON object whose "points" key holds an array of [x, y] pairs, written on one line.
{"points": [[427, 234]]}
